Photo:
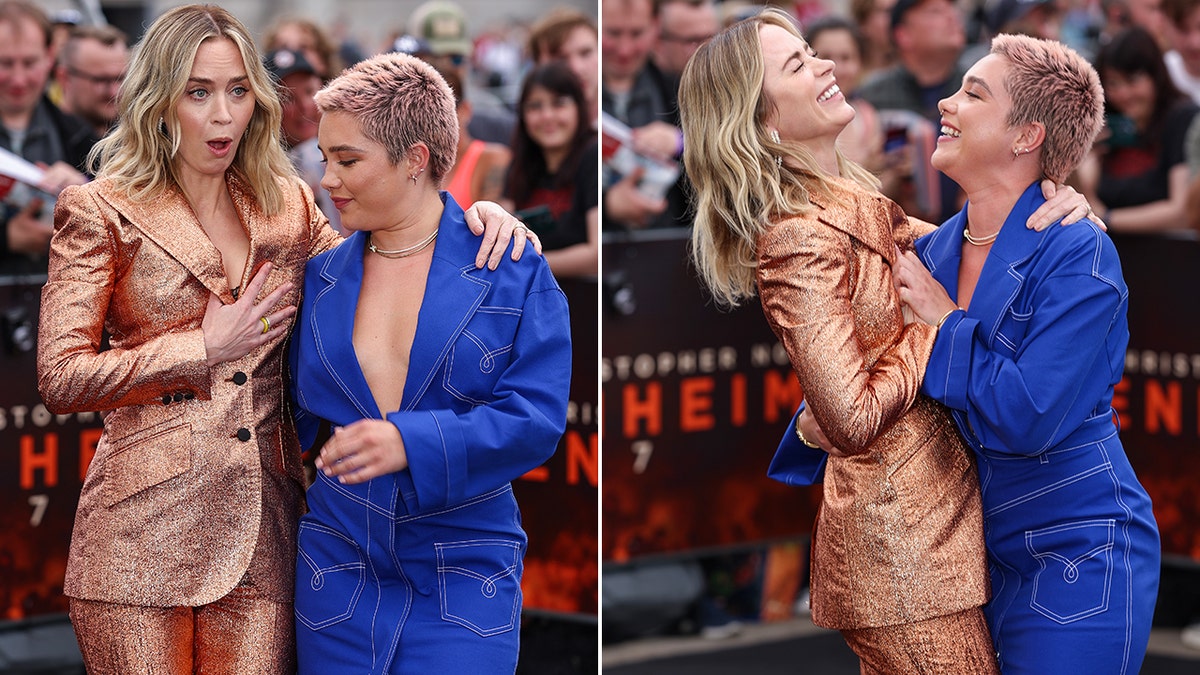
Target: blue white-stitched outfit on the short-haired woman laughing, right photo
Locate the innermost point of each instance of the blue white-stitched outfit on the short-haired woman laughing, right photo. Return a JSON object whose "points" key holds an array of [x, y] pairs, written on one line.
{"points": [[1029, 373]]}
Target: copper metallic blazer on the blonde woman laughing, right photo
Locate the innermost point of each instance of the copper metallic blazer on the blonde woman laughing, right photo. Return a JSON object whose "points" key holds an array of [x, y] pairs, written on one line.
{"points": [[899, 537]]}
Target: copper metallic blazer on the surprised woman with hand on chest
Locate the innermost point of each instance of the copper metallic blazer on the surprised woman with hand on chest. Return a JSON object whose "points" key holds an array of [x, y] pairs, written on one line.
{"points": [[196, 482]]}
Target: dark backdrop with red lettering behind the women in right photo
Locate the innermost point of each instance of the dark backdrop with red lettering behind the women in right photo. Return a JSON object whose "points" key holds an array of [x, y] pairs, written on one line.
{"points": [[697, 401]]}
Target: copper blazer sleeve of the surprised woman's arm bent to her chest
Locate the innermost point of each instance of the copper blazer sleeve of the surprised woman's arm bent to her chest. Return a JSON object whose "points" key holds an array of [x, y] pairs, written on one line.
{"points": [[74, 373]]}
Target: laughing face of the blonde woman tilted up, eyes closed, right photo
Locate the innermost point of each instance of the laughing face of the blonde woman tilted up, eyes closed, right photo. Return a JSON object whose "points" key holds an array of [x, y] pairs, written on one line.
{"points": [[808, 105]]}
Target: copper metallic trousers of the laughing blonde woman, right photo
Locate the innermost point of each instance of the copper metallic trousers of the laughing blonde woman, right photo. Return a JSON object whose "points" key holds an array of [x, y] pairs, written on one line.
{"points": [[957, 644]]}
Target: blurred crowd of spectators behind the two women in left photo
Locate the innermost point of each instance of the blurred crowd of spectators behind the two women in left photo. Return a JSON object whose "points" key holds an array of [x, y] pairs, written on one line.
{"points": [[63, 74]]}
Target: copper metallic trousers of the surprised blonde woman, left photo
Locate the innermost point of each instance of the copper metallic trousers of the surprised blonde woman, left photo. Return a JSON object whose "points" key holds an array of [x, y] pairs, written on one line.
{"points": [[241, 634]]}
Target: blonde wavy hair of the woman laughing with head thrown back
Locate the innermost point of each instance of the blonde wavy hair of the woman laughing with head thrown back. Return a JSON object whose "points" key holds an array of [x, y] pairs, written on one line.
{"points": [[731, 159]]}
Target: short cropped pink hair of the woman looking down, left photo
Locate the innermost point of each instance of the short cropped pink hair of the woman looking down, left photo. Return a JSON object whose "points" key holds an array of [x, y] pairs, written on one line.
{"points": [[399, 101]]}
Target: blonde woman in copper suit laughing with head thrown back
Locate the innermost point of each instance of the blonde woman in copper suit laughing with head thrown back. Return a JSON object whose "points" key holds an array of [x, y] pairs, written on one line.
{"points": [[898, 552]]}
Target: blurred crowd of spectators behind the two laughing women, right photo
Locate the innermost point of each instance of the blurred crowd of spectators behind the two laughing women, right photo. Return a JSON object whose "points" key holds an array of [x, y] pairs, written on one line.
{"points": [[896, 59]]}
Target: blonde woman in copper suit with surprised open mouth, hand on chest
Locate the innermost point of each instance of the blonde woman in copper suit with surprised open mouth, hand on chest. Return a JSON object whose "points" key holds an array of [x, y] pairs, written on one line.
{"points": [[188, 252]]}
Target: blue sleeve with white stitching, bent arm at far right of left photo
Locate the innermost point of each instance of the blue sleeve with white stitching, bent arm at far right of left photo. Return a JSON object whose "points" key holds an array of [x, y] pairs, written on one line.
{"points": [[457, 456]]}
